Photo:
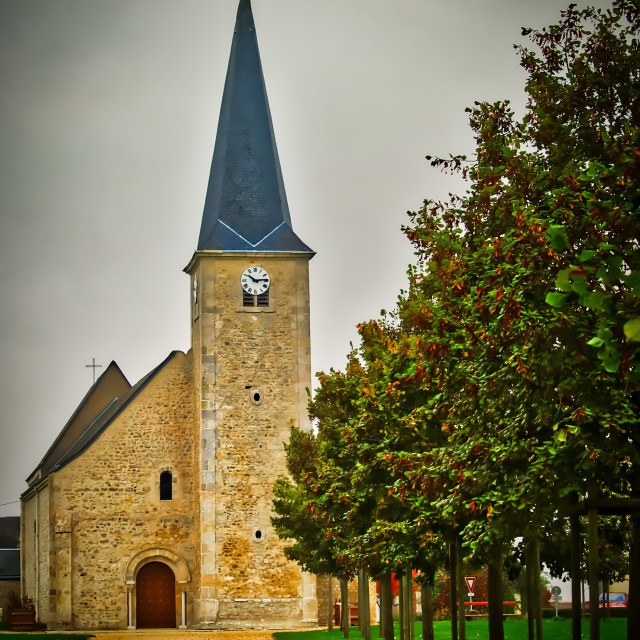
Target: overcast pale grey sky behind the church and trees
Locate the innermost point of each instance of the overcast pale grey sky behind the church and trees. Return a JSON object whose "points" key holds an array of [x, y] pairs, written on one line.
{"points": [[108, 114]]}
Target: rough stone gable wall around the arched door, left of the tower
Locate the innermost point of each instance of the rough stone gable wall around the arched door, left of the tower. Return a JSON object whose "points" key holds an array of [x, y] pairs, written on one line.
{"points": [[107, 507]]}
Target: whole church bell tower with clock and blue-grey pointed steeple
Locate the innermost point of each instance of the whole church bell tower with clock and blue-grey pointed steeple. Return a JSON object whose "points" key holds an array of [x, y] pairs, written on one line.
{"points": [[251, 349]]}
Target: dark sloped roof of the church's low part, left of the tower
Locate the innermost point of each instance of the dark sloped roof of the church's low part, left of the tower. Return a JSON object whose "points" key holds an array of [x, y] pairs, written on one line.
{"points": [[100, 422]]}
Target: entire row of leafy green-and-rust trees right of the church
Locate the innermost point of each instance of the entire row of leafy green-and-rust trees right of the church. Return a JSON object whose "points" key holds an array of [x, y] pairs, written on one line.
{"points": [[505, 386]]}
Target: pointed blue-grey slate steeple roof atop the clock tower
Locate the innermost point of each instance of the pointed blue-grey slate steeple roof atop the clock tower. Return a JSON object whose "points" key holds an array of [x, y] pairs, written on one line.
{"points": [[246, 206]]}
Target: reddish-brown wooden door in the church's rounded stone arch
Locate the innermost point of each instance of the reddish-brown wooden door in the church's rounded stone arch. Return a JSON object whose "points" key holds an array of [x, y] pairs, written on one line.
{"points": [[155, 596]]}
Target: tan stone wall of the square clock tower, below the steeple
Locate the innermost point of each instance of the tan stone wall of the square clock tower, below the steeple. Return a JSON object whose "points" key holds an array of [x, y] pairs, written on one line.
{"points": [[255, 368]]}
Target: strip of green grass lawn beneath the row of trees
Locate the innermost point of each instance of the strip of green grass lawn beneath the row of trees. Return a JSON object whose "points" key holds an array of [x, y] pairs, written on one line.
{"points": [[614, 629]]}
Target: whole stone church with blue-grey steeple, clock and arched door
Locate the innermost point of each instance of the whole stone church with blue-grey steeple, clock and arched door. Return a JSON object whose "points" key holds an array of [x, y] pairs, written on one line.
{"points": [[152, 506]]}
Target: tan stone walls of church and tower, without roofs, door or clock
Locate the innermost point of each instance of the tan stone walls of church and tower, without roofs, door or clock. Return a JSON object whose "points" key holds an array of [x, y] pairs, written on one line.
{"points": [[217, 419]]}
